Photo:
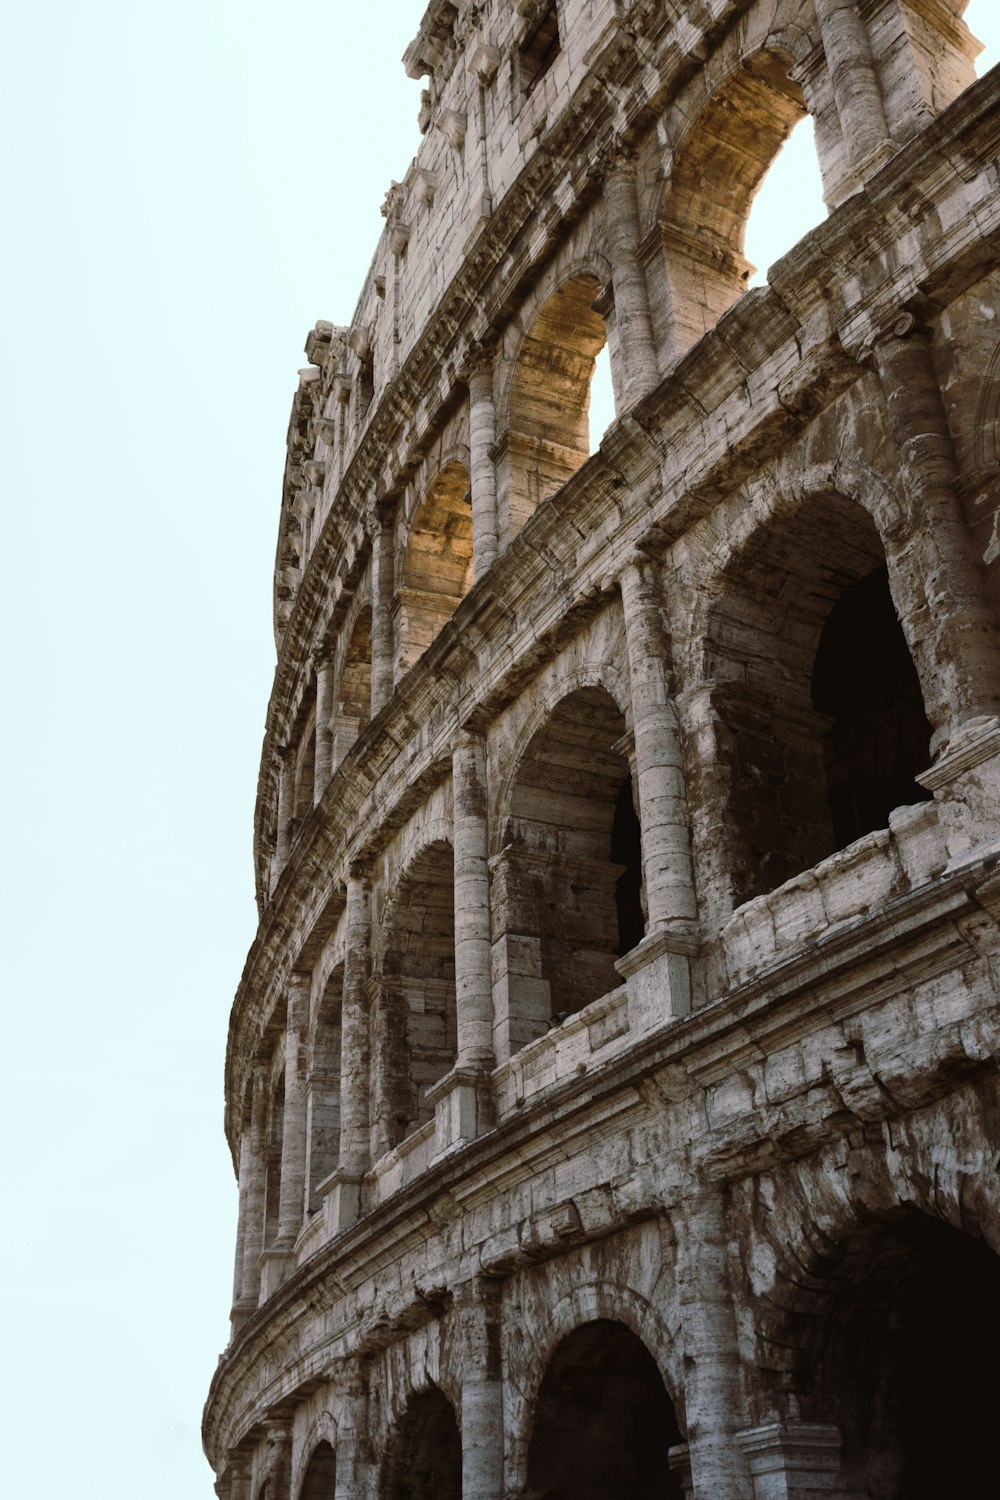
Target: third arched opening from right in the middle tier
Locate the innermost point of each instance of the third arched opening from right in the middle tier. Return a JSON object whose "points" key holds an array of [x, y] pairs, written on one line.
{"points": [[418, 1024]]}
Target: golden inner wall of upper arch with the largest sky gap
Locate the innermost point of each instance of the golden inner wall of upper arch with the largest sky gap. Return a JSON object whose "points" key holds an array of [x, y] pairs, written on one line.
{"points": [[716, 175]]}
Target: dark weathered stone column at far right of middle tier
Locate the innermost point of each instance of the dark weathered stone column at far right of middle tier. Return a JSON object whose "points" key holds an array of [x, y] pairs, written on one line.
{"points": [[966, 685]]}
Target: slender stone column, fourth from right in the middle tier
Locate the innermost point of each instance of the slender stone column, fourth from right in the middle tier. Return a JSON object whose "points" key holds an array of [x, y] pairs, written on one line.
{"points": [[344, 1198]]}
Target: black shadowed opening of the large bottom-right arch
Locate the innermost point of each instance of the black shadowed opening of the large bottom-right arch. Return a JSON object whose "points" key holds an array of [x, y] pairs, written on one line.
{"points": [[903, 1360]]}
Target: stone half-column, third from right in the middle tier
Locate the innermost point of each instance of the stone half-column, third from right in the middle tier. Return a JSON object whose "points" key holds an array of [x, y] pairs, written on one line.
{"points": [[475, 997]]}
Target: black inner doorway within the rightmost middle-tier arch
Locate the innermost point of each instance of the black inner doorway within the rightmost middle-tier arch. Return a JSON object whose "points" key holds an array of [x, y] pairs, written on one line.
{"points": [[866, 682]]}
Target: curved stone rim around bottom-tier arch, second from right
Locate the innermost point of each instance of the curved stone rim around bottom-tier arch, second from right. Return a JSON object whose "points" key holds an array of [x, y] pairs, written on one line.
{"points": [[588, 1306]]}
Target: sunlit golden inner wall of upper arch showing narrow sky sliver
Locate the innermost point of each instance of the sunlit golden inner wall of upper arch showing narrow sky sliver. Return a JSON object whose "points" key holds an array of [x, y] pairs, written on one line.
{"points": [[548, 433]]}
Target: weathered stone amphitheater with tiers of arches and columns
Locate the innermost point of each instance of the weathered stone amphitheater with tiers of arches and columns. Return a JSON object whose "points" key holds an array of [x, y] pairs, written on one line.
{"points": [[614, 1078]]}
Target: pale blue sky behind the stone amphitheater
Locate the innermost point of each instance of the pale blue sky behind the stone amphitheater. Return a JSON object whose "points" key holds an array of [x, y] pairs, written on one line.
{"points": [[187, 188]]}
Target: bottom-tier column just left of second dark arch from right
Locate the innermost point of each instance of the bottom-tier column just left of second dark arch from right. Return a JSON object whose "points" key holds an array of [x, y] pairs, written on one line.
{"points": [[478, 1310]]}
